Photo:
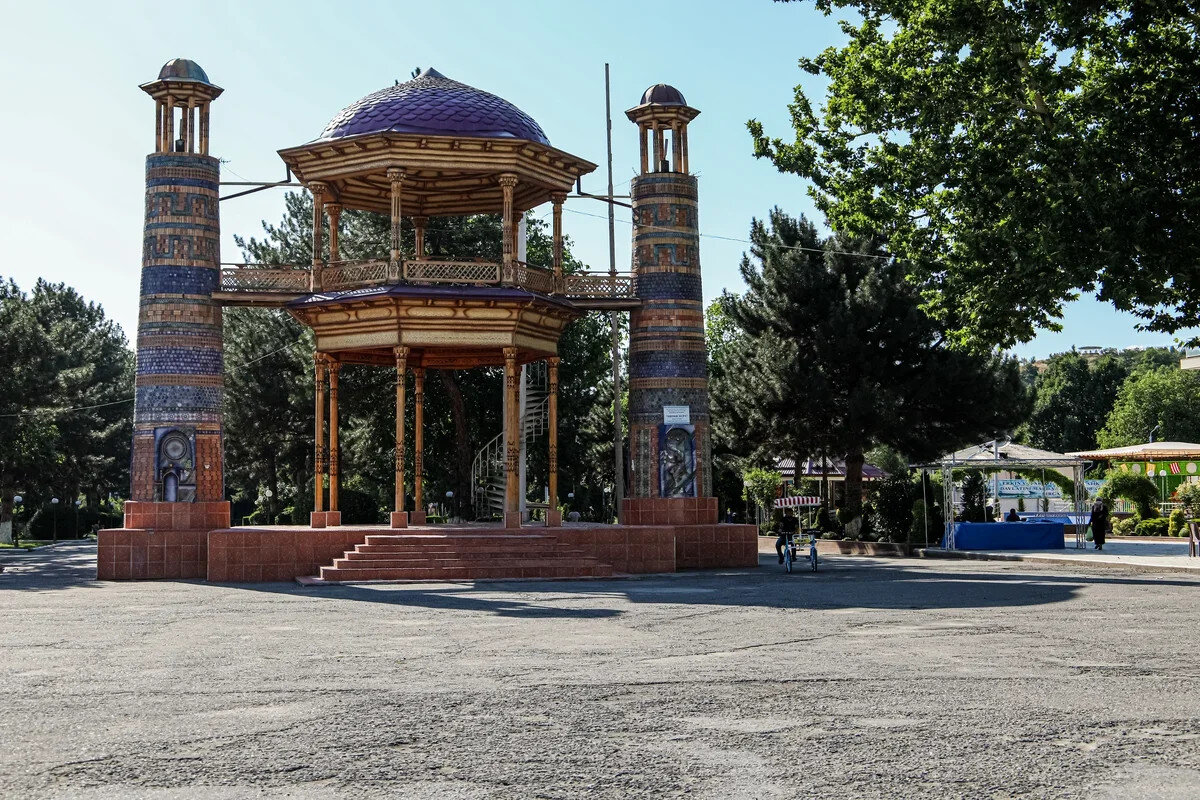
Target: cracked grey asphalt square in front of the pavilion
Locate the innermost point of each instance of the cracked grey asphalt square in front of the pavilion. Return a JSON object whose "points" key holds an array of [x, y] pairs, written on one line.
{"points": [[874, 678]]}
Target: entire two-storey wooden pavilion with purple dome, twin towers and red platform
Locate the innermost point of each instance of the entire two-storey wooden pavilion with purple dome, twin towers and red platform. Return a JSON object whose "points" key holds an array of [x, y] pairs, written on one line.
{"points": [[425, 148]]}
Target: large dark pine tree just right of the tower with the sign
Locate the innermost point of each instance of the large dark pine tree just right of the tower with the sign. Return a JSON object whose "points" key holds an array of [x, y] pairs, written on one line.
{"points": [[836, 357]]}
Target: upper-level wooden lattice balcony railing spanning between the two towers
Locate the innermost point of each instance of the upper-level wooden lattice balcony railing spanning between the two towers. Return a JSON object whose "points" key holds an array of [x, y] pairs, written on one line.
{"points": [[269, 285]]}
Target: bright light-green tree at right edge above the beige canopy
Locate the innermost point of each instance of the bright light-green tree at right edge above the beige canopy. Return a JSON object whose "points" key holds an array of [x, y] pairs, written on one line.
{"points": [[1161, 398]]}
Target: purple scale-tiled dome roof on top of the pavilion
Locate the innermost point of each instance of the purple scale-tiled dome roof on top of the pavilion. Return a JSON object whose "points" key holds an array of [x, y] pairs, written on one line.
{"points": [[435, 105]]}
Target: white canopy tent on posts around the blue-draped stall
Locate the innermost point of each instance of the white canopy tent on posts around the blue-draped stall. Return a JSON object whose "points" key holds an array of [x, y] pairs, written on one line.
{"points": [[999, 456]]}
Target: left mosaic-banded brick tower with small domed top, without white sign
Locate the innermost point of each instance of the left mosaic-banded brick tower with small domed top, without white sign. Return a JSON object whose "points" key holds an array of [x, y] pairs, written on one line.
{"points": [[177, 414]]}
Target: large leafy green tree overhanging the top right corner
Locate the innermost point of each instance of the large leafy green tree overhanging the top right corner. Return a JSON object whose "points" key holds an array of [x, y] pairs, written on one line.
{"points": [[1012, 155]]}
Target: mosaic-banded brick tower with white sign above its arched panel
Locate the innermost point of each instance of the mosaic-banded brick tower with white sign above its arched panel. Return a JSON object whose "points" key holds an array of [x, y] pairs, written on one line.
{"points": [[668, 372]]}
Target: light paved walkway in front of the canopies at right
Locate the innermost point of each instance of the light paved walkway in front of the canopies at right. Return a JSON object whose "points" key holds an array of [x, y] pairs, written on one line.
{"points": [[1126, 554]]}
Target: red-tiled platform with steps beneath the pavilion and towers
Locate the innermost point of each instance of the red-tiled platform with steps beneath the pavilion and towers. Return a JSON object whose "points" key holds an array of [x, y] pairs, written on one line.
{"points": [[265, 554]]}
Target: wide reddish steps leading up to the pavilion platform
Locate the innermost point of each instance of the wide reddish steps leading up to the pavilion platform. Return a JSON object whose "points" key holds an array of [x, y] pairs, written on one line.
{"points": [[463, 557]]}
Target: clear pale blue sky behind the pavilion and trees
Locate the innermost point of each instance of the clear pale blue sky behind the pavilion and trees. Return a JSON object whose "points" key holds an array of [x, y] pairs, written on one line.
{"points": [[77, 129]]}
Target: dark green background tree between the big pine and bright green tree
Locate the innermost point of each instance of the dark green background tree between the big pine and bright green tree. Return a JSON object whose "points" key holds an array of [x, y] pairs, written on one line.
{"points": [[1073, 398]]}
